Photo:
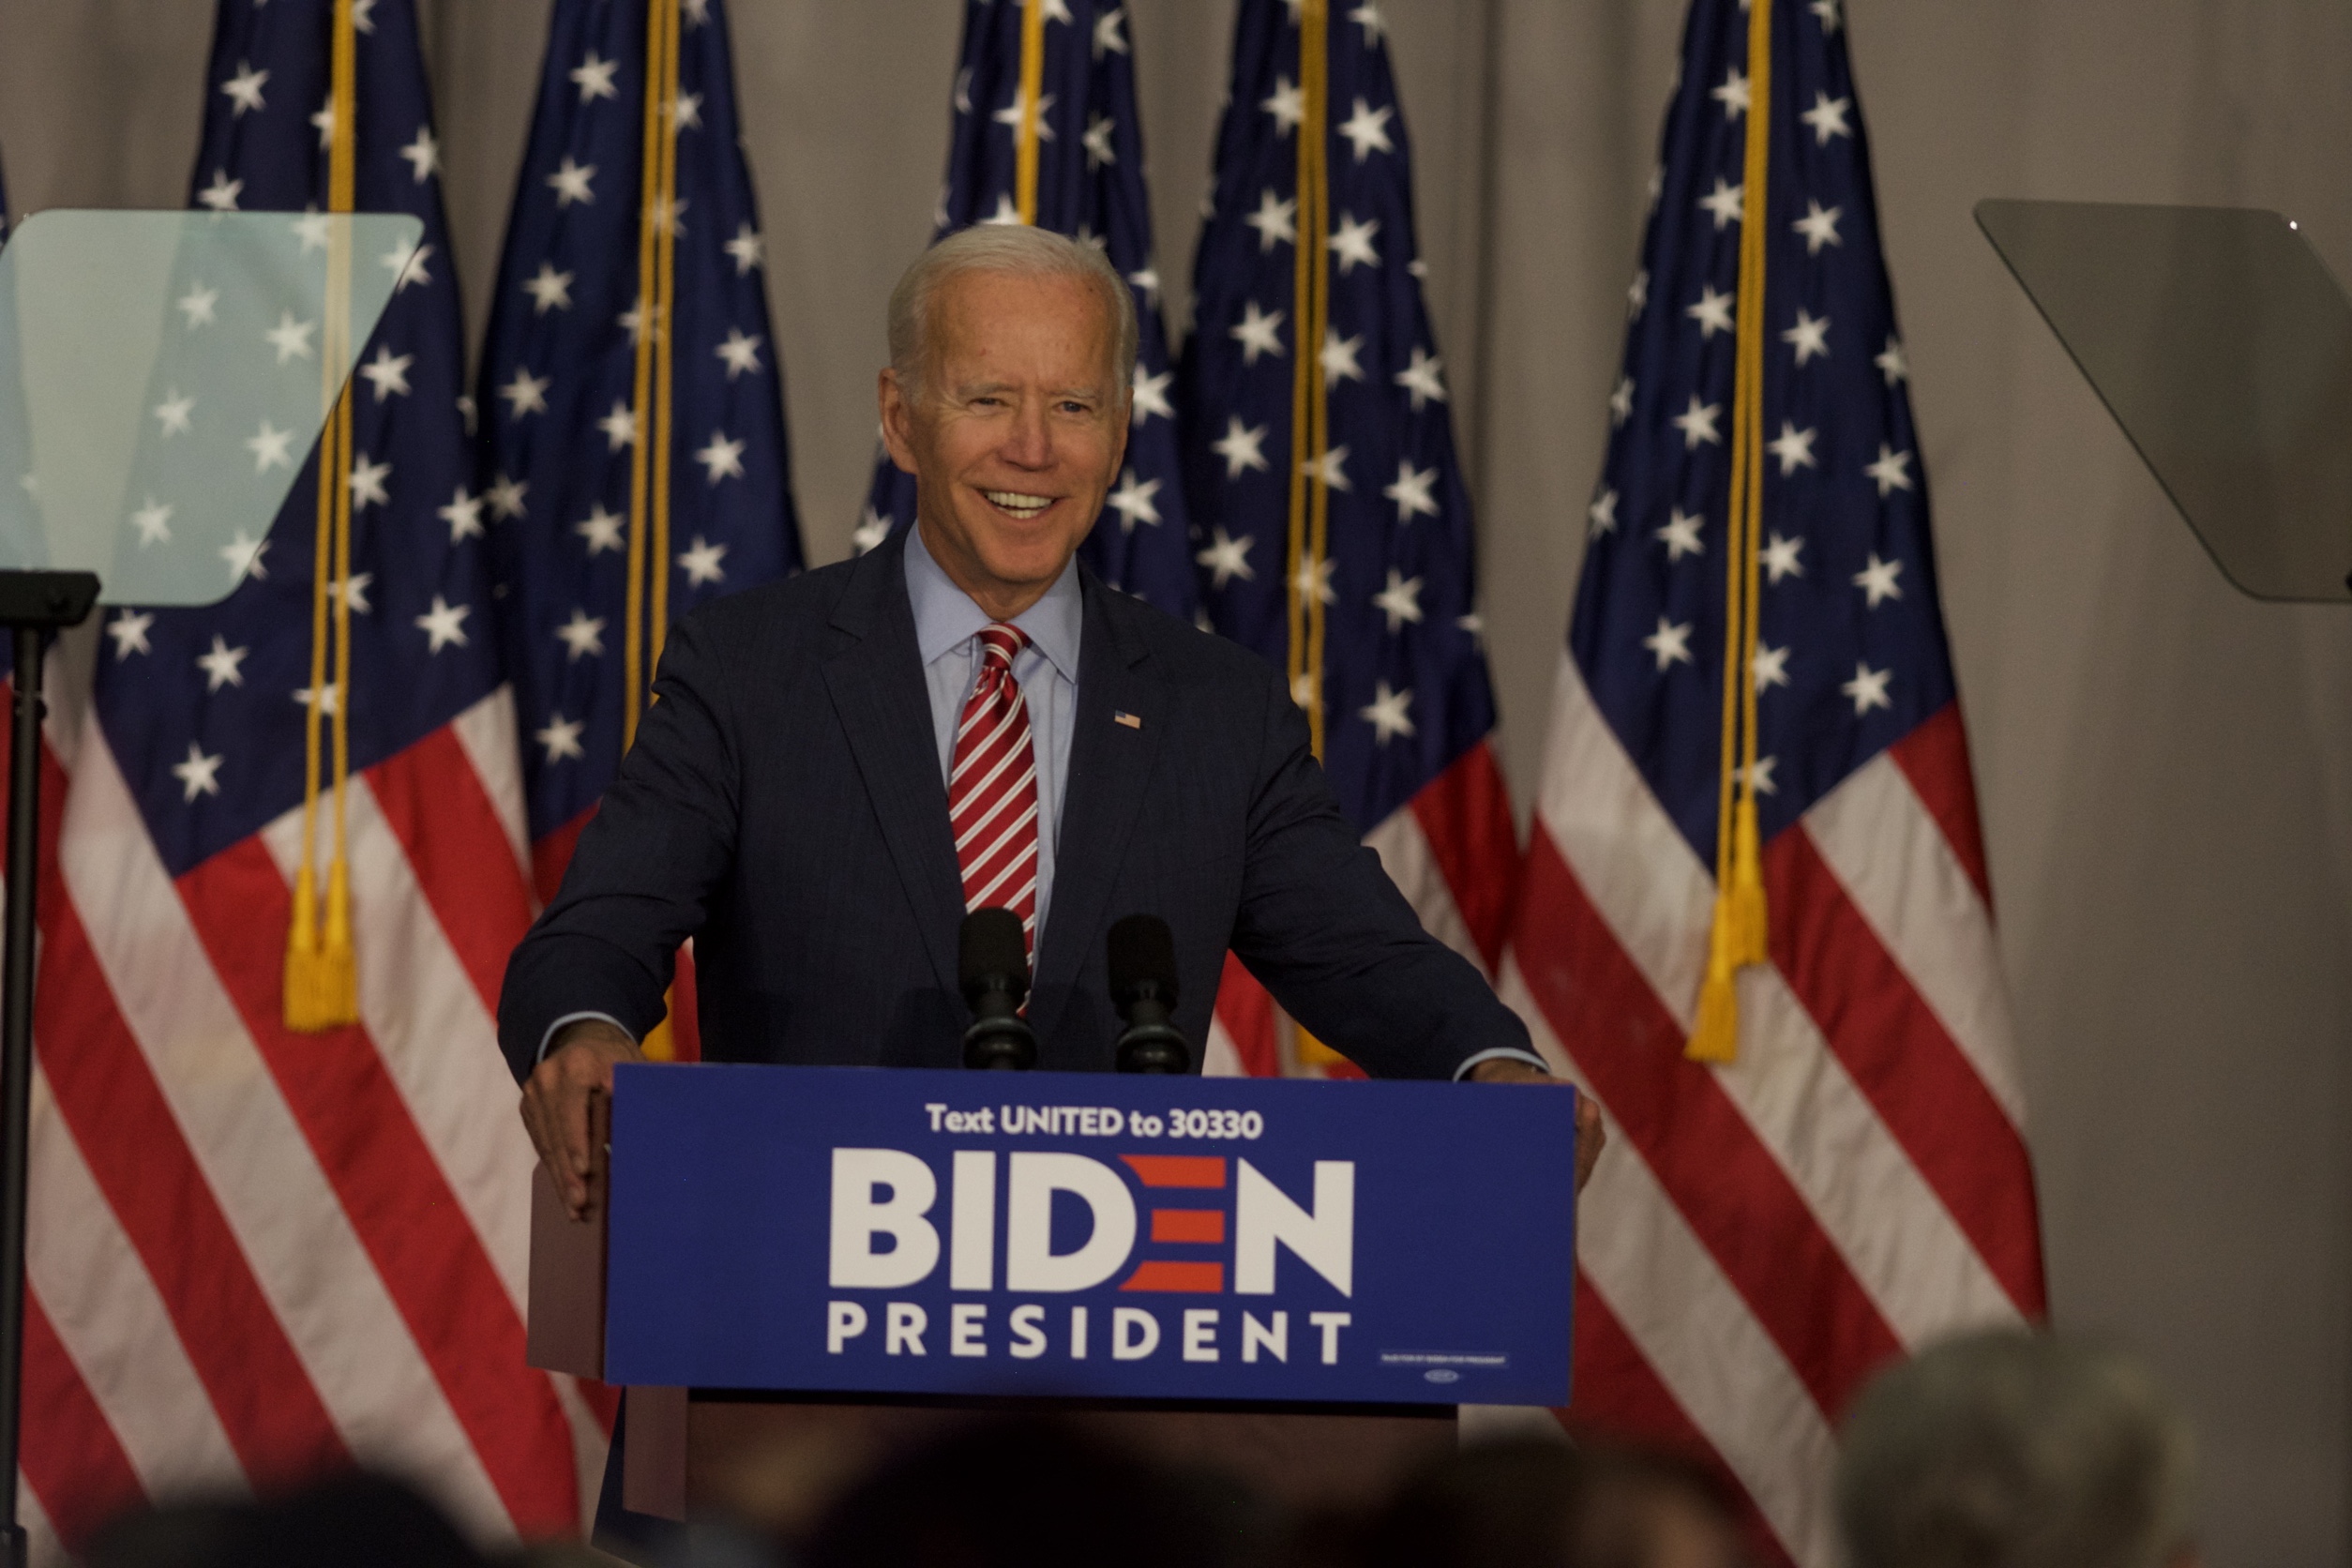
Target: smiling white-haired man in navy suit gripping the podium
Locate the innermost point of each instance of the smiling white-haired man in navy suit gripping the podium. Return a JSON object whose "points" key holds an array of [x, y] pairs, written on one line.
{"points": [[838, 768]]}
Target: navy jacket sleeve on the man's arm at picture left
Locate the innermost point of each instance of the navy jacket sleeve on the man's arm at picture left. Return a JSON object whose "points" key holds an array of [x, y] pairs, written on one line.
{"points": [[646, 866]]}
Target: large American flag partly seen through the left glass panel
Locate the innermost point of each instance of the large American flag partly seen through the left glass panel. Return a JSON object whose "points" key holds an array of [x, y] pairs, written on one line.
{"points": [[258, 1252]]}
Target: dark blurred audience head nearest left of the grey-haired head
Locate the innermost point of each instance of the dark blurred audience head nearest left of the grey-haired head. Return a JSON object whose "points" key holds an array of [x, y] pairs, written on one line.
{"points": [[1549, 1506]]}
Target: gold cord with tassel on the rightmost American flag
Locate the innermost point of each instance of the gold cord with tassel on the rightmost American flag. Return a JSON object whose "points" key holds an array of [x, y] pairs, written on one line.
{"points": [[1739, 932]]}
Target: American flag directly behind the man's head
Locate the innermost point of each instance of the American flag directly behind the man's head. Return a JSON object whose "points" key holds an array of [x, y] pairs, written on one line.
{"points": [[1090, 185]]}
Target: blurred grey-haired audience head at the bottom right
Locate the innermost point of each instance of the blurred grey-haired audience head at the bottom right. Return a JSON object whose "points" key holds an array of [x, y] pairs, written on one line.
{"points": [[2017, 1452]]}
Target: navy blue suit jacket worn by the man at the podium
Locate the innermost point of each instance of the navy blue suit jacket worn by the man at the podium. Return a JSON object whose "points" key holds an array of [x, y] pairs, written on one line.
{"points": [[784, 808]]}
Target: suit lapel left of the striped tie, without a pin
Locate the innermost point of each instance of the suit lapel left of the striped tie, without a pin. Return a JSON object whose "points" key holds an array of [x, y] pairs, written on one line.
{"points": [[886, 709]]}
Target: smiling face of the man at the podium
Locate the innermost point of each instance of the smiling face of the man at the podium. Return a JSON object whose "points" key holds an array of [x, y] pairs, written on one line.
{"points": [[1017, 431]]}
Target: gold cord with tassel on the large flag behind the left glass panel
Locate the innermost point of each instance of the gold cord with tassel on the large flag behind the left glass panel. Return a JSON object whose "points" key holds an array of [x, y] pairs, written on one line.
{"points": [[321, 965]]}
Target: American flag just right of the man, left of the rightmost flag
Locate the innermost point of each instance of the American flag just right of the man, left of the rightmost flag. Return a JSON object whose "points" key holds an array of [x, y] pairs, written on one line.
{"points": [[1398, 671]]}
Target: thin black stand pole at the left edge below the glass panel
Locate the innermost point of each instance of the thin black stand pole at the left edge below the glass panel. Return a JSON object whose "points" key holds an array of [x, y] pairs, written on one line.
{"points": [[18, 1061]]}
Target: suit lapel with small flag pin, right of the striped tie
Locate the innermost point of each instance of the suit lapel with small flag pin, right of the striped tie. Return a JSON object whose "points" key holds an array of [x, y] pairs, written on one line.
{"points": [[1109, 765]]}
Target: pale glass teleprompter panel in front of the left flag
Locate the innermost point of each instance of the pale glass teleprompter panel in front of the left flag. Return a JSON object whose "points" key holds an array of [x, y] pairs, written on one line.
{"points": [[163, 377]]}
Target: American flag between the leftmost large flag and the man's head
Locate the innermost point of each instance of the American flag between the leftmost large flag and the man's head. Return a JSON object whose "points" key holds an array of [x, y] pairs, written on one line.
{"points": [[561, 401]]}
